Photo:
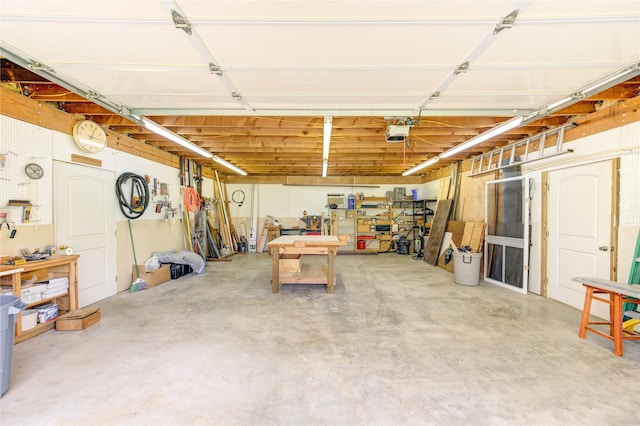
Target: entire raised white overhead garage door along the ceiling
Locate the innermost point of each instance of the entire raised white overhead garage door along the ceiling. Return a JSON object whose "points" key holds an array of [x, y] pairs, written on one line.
{"points": [[315, 54]]}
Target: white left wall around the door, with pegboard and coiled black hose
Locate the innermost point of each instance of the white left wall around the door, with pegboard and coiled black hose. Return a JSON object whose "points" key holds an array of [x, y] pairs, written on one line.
{"points": [[31, 143]]}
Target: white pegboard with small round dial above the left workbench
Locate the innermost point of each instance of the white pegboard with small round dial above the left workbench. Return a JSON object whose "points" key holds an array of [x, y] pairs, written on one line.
{"points": [[21, 144]]}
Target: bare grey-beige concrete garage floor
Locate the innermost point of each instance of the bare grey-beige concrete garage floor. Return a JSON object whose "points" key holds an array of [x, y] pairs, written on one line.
{"points": [[397, 344]]}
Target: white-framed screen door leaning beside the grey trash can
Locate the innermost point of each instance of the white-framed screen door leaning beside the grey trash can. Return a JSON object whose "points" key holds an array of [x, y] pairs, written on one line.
{"points": [[506, 246]]}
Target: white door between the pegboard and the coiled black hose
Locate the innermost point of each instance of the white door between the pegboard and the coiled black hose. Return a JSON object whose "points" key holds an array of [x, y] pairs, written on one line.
{"points": [[84, 217]]}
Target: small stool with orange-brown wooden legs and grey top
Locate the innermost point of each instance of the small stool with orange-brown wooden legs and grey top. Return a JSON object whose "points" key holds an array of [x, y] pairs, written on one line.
{"points": [[618, 294]]}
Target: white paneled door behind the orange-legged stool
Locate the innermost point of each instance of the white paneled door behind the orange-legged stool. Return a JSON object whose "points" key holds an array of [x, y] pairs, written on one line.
{"points": [[579, 231]]}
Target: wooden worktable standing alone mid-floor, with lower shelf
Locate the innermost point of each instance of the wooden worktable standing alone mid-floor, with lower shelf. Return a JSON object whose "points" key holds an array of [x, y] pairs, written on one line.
{"points": [[309, 274]]}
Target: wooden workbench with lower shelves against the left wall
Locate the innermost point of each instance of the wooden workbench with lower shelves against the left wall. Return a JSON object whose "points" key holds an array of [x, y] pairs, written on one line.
{"points": [[41, 270]]}
